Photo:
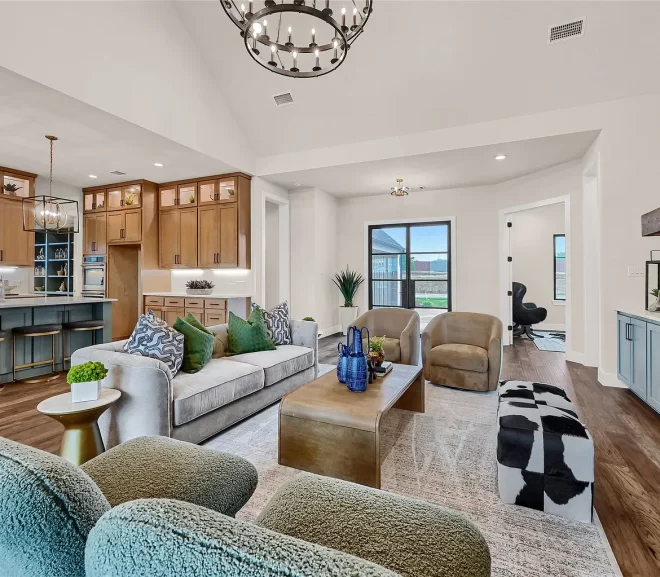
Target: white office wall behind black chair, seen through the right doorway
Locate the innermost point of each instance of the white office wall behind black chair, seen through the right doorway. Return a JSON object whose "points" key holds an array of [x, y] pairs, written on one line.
{"points": [[533, 256]]}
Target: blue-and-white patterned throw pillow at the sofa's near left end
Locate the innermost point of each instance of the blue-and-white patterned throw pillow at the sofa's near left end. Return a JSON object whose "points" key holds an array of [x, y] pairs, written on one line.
{"points": [[154, 339]]}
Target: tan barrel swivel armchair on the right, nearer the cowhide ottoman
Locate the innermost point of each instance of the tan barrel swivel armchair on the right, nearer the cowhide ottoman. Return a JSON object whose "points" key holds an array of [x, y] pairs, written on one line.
{"points": [[463, 350]]}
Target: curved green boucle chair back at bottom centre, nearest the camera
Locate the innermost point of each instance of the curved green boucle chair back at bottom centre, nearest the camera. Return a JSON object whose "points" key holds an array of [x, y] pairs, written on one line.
{"points": [[161, 537]]}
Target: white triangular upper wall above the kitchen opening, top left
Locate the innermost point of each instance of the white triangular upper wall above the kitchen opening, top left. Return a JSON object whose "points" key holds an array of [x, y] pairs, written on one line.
{"points": [[136, 61]]}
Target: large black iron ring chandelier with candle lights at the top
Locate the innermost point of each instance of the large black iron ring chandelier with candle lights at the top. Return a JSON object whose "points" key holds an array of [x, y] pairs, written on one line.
{"points": [[295, 37]]}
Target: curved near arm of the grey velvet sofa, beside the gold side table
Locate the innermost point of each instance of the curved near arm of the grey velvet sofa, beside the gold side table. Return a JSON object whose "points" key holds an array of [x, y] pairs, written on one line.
{"points": [[145, 405]]}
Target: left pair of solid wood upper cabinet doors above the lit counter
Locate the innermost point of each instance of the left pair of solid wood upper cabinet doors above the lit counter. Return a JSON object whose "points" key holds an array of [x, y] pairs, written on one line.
{"points": [[178, 238]]}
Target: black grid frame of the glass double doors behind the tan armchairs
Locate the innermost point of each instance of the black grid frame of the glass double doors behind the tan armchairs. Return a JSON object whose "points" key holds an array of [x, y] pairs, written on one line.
{"points": [[406, 293]]}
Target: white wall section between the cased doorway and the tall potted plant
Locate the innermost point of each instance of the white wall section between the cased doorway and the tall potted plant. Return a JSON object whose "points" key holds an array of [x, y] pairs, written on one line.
{"points": [[314, 239]]}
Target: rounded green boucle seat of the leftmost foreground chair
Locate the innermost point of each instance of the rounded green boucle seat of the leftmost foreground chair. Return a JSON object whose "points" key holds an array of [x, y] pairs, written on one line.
{"points": [[159, 467]]}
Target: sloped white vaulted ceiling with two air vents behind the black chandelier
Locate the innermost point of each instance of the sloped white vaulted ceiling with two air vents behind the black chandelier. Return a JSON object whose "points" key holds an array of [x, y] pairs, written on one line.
{"points": [[423, 65]]}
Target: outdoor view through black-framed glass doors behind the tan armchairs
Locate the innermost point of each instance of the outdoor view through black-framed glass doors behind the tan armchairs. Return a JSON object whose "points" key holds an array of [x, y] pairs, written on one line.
{"points": [[411, 267]]}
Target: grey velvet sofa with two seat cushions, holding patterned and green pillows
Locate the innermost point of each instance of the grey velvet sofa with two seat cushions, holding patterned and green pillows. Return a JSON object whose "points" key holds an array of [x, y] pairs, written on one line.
{"points": [[194, 407]]}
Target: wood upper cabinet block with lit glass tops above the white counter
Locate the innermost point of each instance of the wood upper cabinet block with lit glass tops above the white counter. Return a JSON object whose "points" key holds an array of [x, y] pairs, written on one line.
{"points": [[222, 231]]}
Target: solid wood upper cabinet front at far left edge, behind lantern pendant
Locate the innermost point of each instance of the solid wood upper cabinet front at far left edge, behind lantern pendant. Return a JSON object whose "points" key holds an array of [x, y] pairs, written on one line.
{"points": [[16, 245]]}
